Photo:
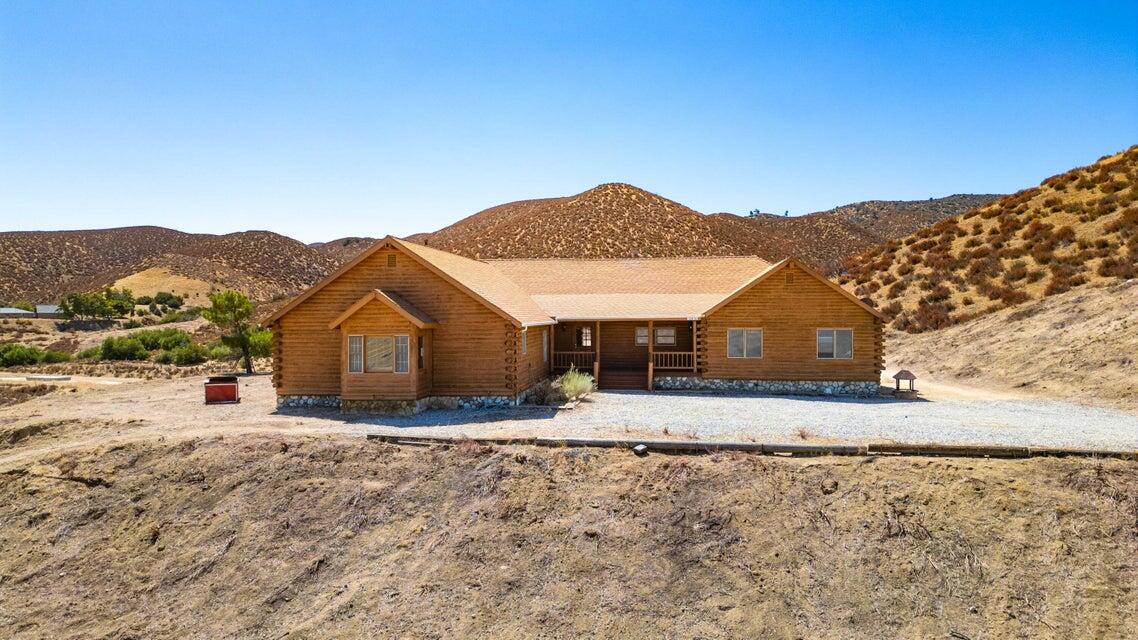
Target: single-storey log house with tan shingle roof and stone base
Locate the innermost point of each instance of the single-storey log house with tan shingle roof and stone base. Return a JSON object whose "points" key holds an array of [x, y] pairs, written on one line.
{"points": [[405, 327]]}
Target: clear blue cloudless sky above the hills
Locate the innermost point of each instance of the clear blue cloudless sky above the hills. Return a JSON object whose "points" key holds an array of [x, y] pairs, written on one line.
{"points": [[323, 120]]}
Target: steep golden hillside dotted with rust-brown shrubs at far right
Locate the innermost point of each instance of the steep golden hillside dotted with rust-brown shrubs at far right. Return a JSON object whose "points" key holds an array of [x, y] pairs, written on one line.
{"points": [[1077, 228]]}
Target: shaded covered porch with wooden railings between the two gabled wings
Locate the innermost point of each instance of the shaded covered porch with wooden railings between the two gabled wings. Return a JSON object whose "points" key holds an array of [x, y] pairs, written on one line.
{"points": [[626, 354]]}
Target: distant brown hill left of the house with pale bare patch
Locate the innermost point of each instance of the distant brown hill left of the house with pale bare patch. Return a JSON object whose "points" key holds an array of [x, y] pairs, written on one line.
{"points": [[44, 266]]}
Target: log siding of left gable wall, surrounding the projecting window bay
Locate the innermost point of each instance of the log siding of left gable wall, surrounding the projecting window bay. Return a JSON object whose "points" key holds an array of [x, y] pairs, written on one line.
{"points": [[468, 347]]}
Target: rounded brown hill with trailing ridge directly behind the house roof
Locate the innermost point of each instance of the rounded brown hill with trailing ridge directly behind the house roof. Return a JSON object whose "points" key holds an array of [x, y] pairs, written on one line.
{"points": [[620, 220]]}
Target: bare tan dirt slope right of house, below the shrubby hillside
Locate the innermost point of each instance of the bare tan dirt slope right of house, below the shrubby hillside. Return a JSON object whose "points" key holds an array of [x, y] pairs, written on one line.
{"points": [[1079, 344]]}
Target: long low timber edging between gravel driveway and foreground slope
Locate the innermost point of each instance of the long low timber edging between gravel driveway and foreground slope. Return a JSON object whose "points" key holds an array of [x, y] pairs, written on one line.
{"points": [[698, 447]]}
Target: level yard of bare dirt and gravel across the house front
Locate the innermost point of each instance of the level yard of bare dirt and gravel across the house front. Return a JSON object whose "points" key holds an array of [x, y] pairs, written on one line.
{"points": [[85, 413]]}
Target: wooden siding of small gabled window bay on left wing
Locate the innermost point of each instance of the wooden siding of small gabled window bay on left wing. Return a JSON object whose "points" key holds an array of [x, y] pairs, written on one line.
{"points": [[377, 321]]}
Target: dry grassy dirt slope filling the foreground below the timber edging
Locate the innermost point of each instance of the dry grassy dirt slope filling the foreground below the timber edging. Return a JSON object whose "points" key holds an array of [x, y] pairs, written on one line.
{"points": [[291, 537]]}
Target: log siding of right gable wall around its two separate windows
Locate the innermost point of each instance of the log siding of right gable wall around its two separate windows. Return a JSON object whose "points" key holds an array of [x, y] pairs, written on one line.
{"points": [[790, 311]]}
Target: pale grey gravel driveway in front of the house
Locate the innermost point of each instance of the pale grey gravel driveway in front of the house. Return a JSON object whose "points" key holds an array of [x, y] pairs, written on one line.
{"points": [[1022, 422]]}
